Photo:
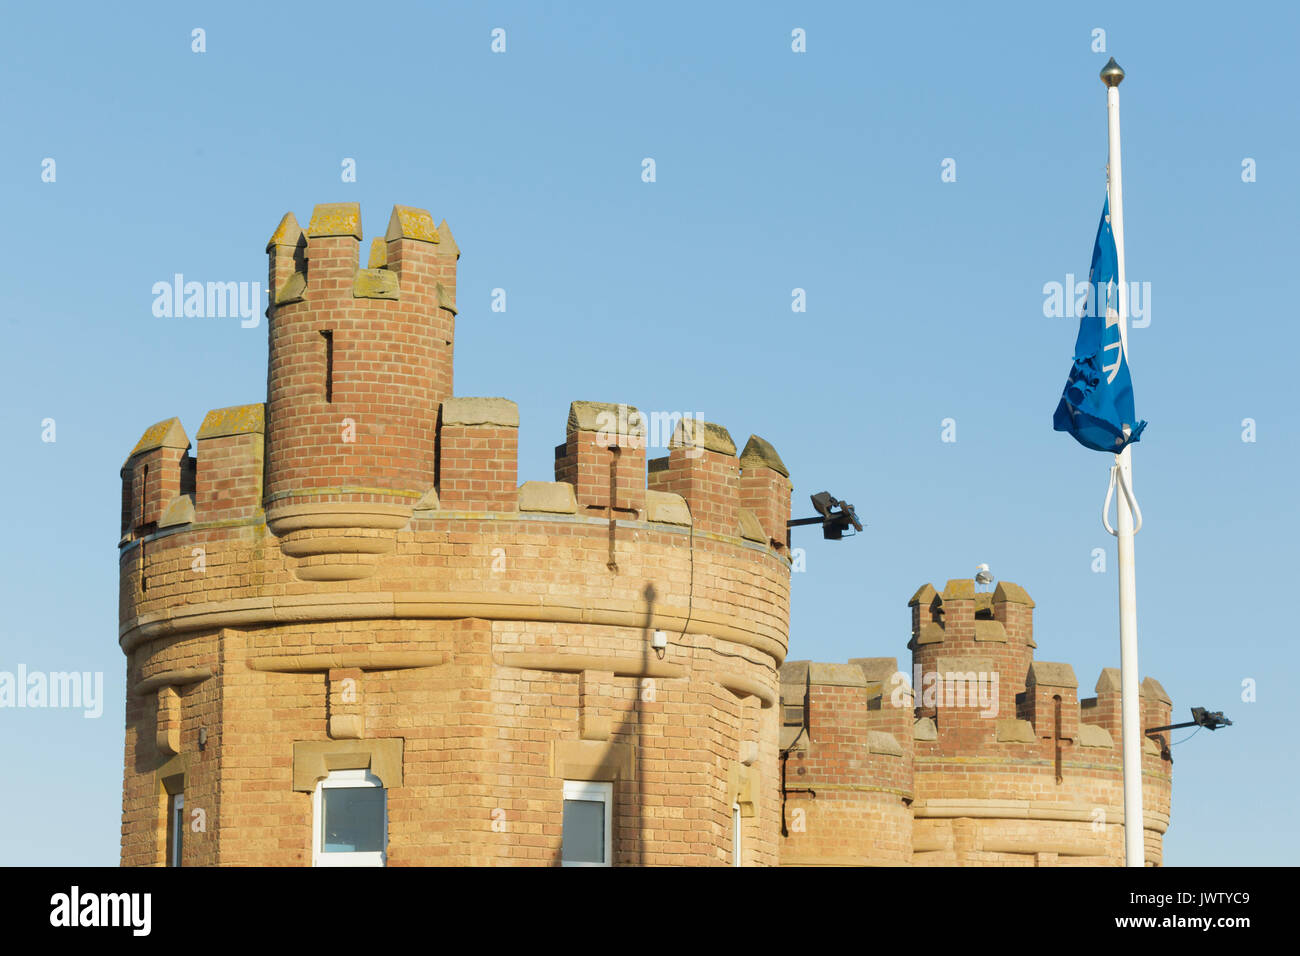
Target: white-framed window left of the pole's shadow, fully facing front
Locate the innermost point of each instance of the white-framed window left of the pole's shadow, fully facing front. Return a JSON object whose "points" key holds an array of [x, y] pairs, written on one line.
{"points": [[350, 820]]}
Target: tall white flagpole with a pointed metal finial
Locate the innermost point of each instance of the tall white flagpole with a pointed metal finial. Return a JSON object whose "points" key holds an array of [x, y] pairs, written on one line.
{"points": [[1132, 730]]}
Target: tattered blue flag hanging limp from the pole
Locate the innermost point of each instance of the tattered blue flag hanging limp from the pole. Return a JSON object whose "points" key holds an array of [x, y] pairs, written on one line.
{"points": [[1098, 401]]}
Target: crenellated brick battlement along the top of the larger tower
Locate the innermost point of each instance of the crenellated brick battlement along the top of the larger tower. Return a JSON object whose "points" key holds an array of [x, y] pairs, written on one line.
{"points": [[601, 471]]}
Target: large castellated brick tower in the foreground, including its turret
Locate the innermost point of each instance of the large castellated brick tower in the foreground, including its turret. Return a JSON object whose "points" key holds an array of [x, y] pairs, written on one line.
{"points": [[354, 637]]}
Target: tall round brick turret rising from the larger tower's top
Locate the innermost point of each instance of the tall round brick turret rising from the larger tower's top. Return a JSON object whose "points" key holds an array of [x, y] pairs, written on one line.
{"points": [[361, 361]]}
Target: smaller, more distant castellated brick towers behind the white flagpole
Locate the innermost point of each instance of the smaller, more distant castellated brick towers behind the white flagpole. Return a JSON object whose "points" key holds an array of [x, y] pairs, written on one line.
{"points": [[981, 756]]}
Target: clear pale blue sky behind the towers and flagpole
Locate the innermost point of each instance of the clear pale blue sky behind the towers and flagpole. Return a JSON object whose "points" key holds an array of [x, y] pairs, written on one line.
{"points": [[774, 171]]}
